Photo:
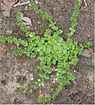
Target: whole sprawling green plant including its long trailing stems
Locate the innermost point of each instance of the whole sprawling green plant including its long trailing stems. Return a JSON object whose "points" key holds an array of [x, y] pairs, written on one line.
{"points": [[50, 49]]}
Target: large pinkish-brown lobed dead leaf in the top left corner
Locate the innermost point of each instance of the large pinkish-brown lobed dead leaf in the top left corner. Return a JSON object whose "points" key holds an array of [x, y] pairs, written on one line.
{"points": [[6, 6]]}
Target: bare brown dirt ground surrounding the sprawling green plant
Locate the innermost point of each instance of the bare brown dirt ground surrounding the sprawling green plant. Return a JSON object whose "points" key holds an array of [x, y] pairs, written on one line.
{"points": [[20, 71]]}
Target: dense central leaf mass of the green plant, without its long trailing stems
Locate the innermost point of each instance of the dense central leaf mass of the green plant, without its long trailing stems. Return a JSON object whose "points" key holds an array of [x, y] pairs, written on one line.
{"points": [[51, 50]]}
